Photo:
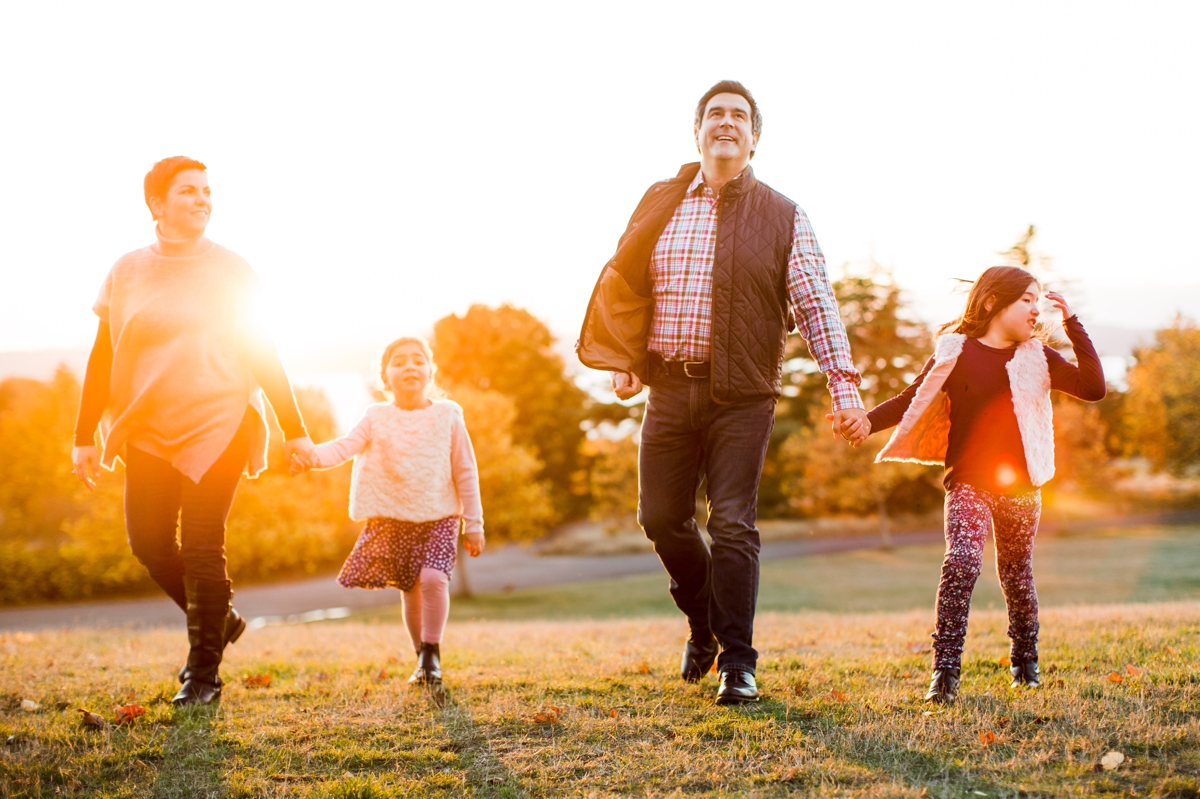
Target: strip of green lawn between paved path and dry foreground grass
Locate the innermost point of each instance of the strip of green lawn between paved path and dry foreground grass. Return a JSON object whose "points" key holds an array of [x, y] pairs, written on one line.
{"points": [[1132, 566]]}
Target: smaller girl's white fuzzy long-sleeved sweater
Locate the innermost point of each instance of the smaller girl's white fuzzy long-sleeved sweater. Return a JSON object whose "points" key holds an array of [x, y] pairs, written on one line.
{"points": [[415, 466]]}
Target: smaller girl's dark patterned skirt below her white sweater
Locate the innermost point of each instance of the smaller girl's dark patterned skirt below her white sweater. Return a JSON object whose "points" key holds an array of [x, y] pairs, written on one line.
{"points": [[392, 554]]}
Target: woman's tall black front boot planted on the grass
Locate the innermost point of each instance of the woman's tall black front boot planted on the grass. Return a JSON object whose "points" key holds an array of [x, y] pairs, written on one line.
{"points": [[208, 608]]}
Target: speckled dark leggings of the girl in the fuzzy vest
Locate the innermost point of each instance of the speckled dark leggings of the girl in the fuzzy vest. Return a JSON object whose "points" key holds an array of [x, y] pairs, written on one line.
{"points": [[970, 513]]}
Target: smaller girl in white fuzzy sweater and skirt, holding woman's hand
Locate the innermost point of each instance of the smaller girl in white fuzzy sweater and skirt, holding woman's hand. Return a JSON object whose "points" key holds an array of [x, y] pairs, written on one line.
{"points": [[415, 477]]}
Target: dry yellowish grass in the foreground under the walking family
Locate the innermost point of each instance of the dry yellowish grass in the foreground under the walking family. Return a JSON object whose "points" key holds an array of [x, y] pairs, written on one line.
{"points": [[596, 708]]}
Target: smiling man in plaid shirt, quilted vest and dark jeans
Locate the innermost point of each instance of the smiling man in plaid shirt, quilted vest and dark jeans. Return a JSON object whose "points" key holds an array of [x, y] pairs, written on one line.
{"points": [[712, 274]]}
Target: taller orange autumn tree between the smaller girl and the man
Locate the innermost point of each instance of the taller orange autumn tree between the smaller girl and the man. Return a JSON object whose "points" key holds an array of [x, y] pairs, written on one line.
{"points": [[512, 352]]}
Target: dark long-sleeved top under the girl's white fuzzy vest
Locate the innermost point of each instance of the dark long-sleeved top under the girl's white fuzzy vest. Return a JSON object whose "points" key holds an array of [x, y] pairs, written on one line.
{"points": [[985, 448]]}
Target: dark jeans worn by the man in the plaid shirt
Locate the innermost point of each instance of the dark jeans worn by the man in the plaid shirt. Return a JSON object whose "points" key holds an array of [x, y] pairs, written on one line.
{"points": [[685, 436]]}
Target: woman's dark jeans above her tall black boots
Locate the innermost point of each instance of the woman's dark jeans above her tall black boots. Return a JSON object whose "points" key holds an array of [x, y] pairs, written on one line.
{"points": [[160, 502]]}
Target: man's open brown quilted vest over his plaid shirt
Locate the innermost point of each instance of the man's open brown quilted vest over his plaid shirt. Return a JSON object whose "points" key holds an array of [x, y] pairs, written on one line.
{"points": [[752, 316]]}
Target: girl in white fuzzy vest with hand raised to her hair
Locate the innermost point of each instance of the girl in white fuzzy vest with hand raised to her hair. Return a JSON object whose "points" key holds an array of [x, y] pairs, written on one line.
{"points": [[982, 407]]}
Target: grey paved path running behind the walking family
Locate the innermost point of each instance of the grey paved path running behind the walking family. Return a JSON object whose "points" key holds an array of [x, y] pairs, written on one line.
{"points": [[322, 598]]}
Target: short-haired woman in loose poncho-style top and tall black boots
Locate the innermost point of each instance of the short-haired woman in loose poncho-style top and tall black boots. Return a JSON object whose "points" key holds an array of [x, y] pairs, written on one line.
{"points": [[175, 383]]}
